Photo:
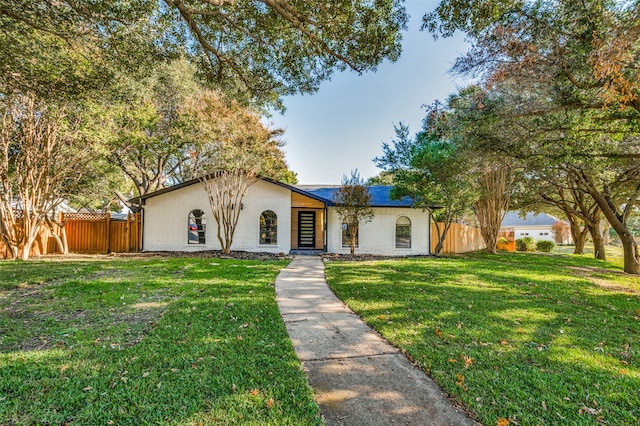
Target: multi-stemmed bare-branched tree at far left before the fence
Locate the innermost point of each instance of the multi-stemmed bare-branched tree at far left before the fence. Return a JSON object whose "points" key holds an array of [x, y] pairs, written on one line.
{"points": [[43, 156]]}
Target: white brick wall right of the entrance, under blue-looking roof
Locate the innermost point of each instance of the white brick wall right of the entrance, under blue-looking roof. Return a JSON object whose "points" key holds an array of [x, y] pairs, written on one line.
{"points": [[378, 236]]}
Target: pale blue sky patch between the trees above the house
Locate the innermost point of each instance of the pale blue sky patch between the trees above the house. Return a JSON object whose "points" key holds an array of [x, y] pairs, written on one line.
{"points": [[342, 126]]}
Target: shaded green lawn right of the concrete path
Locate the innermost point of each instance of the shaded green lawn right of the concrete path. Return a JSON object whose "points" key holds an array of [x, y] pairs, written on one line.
{"points": [[533, 338]]}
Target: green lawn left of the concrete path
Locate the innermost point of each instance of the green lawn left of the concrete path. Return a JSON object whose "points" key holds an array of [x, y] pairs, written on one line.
{"points": [[147, 341]]}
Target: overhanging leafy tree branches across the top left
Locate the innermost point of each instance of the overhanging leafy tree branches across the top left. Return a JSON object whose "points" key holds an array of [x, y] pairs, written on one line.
{"points": [[257, 51]]}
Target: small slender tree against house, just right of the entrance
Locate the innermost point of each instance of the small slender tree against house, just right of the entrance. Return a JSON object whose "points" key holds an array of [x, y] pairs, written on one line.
{"points": [[353, 205]]}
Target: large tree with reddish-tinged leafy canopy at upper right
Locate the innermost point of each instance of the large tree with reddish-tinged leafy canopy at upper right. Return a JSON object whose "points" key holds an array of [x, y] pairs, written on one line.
{"points": [[558, 92]]}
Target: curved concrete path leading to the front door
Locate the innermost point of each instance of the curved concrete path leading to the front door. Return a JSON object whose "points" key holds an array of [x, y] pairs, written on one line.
{"points": [[359, 379]]}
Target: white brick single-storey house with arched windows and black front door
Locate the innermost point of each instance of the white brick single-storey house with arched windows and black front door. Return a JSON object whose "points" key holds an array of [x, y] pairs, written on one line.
{"points": [[281, 218]]}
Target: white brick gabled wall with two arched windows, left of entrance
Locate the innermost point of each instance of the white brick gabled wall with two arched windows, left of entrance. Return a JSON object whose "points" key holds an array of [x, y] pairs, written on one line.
{"points": [[166, 219]]}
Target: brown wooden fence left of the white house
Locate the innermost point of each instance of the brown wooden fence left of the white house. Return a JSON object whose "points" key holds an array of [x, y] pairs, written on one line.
{"points": [[91, 233]]}
